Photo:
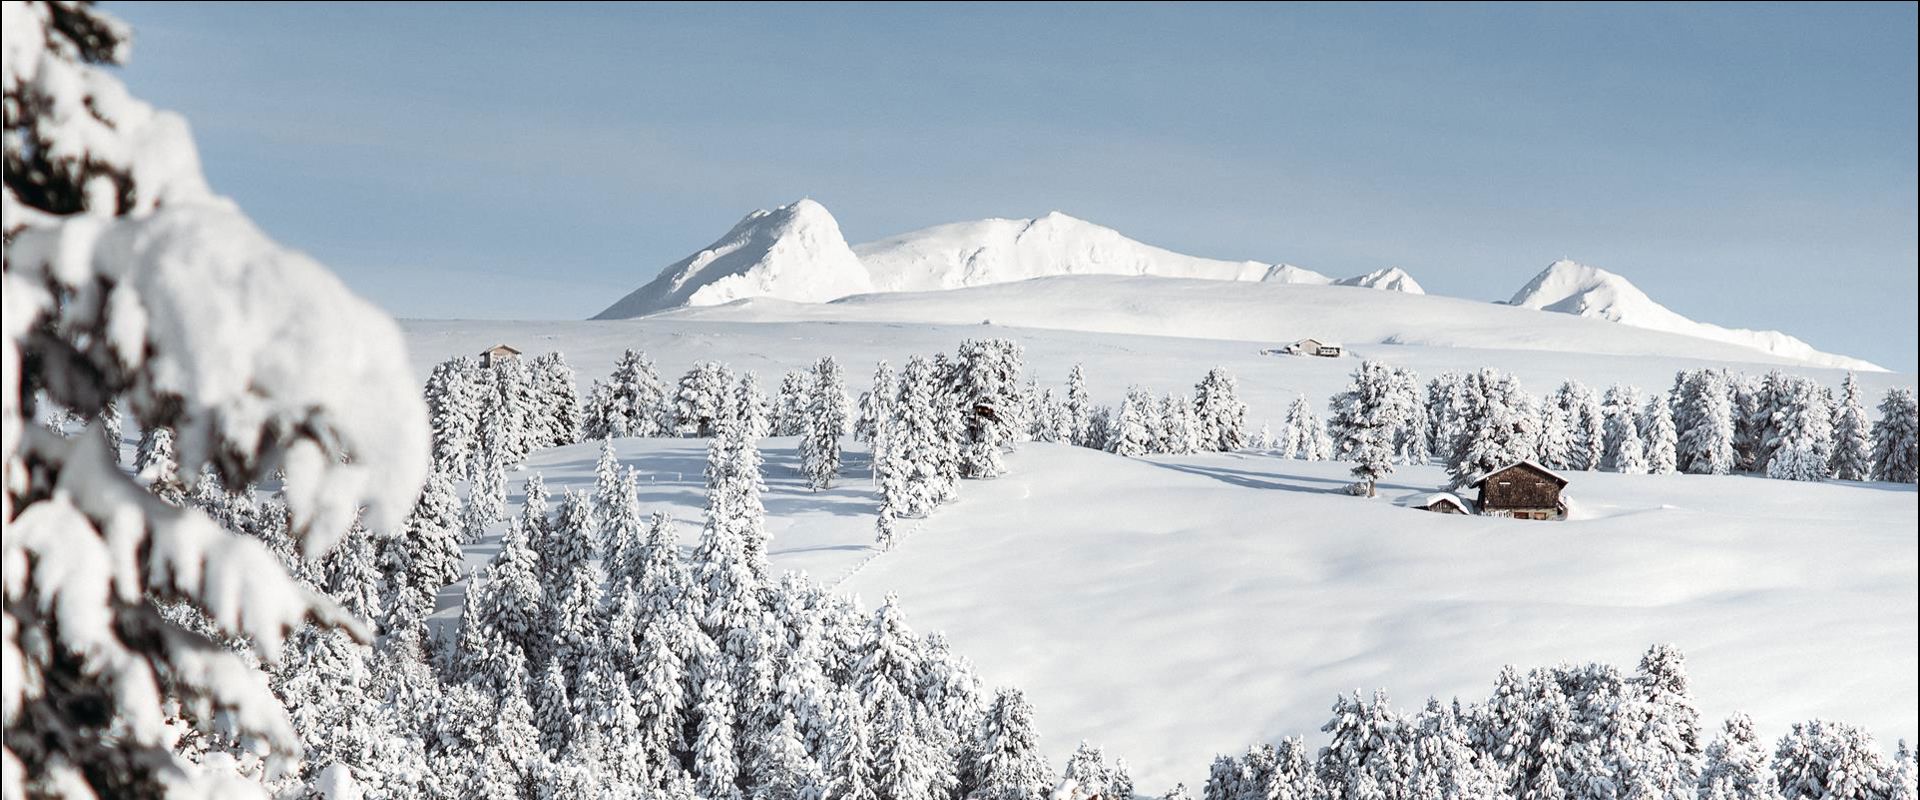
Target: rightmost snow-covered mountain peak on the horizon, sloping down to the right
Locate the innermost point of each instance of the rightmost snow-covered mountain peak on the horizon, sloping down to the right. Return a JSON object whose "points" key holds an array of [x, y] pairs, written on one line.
{"points": [[1575, 289]]}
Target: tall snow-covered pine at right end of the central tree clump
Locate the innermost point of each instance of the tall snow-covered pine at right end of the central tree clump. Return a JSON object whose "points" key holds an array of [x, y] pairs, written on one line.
{"points": [[984, 385]]}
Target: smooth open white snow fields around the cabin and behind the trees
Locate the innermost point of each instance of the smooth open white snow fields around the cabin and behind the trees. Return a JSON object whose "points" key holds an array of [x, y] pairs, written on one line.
{"points": [[1178, 607]]}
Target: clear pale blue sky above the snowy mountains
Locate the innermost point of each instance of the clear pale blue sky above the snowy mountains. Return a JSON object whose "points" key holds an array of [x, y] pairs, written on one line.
{"points": [[1750, 166]]}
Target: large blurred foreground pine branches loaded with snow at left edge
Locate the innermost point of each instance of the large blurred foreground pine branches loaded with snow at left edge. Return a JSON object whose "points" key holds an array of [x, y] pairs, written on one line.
{"points": [[118, 264]]}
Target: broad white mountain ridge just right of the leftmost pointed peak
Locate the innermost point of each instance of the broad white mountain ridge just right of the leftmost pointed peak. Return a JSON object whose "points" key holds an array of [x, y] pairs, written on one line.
{"points": [[1005, 250]]}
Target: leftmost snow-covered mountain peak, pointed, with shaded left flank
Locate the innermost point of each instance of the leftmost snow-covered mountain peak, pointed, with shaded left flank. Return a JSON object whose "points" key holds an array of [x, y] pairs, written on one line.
{"points": [[794, 252]]}
